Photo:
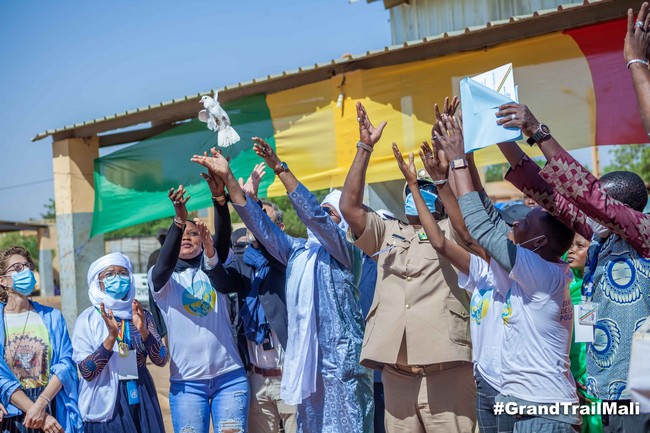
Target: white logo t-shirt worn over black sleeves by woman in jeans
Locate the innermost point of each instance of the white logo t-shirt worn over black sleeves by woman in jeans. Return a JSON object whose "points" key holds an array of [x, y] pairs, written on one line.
{"points": [[201, 344]]}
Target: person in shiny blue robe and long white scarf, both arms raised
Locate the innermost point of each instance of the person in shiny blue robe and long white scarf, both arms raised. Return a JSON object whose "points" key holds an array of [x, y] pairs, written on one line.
{"points": [[321, 371]]}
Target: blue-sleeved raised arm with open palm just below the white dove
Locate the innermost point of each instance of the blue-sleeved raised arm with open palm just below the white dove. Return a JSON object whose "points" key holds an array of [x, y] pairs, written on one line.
{"points": [[278, 243]]}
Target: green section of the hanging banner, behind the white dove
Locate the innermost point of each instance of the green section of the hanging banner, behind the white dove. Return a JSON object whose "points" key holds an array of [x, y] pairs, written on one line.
{"points": [[131, 184]]}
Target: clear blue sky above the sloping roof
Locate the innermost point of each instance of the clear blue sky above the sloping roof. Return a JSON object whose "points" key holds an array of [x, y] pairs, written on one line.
{"points": [[69, 61]]}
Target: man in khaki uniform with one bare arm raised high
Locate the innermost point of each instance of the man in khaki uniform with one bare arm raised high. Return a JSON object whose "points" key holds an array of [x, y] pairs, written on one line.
{"points": [[417, 330]]}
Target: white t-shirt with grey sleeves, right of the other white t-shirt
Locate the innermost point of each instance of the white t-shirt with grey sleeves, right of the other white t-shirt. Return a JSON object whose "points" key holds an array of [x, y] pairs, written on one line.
{"points": [[537, 336]]}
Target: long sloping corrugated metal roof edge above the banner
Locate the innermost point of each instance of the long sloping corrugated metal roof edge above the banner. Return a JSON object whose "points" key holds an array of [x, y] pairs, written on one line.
{"points": [[539, 22]]}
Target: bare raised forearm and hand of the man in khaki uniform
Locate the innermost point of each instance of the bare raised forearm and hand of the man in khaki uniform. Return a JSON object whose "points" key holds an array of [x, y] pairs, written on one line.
{"points": [[352, 208]]}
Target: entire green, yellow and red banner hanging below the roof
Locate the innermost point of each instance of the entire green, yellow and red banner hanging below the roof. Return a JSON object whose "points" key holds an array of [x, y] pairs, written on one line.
{"points": [[575, 81]]}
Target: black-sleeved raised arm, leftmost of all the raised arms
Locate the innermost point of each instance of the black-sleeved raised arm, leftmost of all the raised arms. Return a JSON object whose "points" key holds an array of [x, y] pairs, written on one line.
{"points": [[164, 267]]}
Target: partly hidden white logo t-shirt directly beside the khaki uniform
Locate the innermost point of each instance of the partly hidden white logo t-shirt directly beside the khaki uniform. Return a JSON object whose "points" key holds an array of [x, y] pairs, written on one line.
{"points": [[489, 310]]}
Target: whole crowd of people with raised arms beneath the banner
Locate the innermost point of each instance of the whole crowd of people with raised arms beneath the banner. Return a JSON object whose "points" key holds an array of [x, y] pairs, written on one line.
{"points": [[466, 307]]}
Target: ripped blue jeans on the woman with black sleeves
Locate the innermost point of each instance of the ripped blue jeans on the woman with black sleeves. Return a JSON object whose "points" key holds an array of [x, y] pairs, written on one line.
{"points": [[225, 397]]}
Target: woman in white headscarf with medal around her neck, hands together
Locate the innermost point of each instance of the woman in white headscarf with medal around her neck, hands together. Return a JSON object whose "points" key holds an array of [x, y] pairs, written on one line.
{"points": [[111, 341]]}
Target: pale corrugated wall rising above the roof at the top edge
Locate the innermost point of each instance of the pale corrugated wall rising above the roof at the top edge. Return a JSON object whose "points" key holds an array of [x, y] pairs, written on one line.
{"points": [[421, 18]]}
